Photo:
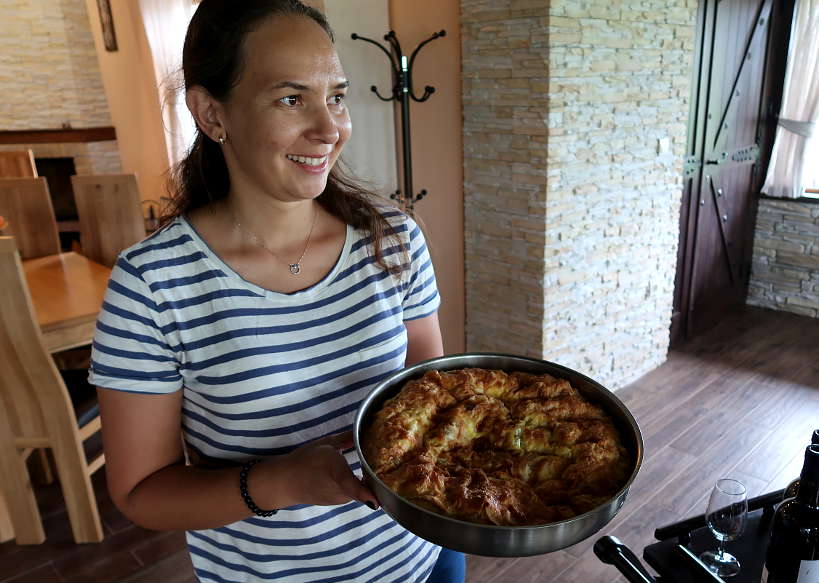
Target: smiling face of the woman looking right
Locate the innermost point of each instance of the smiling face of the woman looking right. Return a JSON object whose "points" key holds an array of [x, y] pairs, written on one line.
{"points": [[286, 120]]}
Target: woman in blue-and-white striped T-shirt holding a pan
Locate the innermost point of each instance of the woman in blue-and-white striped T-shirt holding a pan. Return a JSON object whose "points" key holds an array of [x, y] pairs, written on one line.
{"points": [[277, 296]]}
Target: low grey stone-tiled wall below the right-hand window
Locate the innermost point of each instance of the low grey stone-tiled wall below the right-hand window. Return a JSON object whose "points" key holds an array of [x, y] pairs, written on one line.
{"points": [[785, 269]]}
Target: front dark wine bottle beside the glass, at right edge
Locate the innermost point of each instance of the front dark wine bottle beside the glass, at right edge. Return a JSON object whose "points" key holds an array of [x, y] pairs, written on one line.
{"points": [[793, 550]]}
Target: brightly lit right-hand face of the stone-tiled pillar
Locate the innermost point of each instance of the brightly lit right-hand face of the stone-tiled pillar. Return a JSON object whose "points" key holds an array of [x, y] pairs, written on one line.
{"points": [[619, 90]]}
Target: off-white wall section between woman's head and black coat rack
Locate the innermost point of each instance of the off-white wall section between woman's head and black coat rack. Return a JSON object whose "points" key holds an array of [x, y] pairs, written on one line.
{"points": [[370, 153]]}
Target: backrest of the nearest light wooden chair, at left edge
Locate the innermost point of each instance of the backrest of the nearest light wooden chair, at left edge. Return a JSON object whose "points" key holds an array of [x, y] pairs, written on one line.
{"points": [[32, 391]]}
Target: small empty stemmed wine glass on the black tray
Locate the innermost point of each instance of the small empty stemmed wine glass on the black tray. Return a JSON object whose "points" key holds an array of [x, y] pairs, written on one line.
{"points": [[725, 516]]}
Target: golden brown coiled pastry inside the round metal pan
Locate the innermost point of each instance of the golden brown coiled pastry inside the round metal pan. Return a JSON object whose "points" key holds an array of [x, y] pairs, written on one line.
{"points": [[498, 448]]}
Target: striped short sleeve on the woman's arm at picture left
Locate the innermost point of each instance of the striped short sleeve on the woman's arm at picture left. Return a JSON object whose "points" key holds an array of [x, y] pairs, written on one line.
{"points": [[130, 351]]}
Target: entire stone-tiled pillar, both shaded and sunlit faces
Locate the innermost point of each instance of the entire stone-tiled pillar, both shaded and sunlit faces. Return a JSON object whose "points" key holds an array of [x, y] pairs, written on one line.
{"points": [[574, 133]]}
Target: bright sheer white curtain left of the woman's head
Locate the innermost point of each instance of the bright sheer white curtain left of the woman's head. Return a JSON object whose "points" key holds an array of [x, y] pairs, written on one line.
{"points": [[166, 22]]}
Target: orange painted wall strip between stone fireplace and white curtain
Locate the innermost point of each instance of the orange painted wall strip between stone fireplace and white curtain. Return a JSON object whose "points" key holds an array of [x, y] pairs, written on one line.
{"points": [[133, 100]]}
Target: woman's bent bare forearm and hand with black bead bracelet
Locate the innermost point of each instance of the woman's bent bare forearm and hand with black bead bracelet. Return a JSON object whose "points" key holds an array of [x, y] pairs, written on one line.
{"points": [[149, 482]]}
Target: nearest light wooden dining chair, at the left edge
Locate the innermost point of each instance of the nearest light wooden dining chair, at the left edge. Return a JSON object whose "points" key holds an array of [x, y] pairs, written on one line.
{"points": [[37, 412]]}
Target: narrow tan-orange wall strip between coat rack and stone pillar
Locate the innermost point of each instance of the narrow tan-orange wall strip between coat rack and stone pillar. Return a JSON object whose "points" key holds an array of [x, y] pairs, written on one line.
{"points": [[437, 160]]}
